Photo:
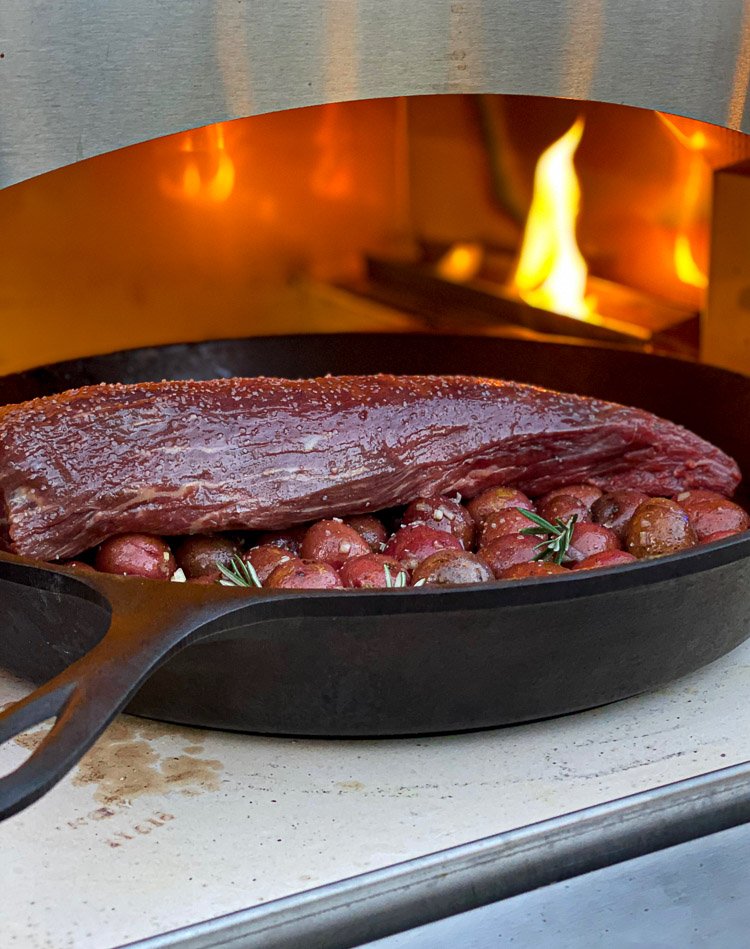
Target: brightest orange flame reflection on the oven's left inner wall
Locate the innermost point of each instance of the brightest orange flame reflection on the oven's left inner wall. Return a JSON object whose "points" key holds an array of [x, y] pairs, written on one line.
{"points": [[208, 173]]}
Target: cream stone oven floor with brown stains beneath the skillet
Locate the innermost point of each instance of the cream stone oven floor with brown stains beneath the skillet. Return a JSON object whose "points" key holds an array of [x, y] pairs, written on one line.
{"points": [[162, 826]]}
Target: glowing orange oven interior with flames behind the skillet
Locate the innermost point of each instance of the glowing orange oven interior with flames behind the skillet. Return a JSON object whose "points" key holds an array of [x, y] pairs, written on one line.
{"points": [[504, 215]]}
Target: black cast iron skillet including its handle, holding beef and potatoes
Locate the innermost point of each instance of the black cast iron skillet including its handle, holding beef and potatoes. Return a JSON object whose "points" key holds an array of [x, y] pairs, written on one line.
{"points": [[375, 663]]}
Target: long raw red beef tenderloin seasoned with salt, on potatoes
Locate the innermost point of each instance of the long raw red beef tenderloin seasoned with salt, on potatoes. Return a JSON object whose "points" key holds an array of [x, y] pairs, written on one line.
{"points": [[185, 457]]}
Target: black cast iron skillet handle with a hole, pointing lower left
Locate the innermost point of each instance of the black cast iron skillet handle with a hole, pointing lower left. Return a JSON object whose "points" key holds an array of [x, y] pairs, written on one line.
{"points": [[147, 627]]}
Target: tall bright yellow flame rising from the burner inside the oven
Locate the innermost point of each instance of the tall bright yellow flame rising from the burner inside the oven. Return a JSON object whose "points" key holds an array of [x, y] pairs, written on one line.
{"points": [[551, 273]]}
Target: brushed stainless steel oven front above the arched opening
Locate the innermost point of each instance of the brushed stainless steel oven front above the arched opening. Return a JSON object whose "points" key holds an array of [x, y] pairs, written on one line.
{"points": [[81, 78]]}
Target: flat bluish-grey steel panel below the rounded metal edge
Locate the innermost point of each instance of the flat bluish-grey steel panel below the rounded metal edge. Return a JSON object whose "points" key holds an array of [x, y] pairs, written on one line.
{"points": [[693, 896]]}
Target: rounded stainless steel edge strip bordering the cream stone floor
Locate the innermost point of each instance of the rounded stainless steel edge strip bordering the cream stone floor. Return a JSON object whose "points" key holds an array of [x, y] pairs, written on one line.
{"points": [[388, 901]]}
